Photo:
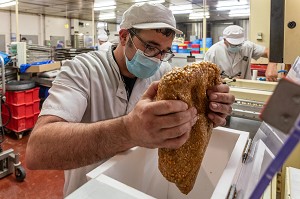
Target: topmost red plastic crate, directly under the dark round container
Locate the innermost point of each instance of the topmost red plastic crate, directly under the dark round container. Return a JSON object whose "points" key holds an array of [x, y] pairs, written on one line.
{"points": [[22, 97]]}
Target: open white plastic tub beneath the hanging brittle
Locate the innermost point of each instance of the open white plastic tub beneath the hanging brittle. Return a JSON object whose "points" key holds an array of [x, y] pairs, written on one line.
{"points": [[136, 173]]}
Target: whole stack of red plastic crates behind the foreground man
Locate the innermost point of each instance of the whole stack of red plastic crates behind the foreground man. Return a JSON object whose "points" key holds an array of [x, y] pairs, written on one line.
{"points": [[24, 109]]}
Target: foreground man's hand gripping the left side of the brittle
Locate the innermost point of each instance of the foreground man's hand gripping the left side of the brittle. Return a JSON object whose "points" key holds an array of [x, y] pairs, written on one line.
{"points": [[159, 124]]}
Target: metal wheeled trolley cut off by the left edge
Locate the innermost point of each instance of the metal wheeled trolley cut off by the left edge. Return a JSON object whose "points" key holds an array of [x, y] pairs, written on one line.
{"points": [[9, 160]]}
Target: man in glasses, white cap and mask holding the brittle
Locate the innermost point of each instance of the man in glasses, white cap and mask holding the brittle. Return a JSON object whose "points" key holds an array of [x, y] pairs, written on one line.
{"points": [[103, 102]]}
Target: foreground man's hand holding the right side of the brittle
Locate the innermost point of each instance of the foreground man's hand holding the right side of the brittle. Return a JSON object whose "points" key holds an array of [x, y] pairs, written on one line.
{"points": [[220, 104]]}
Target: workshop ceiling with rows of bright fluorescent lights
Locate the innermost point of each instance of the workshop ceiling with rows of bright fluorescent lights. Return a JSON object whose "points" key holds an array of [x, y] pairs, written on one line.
{"points": [[82, 9]]}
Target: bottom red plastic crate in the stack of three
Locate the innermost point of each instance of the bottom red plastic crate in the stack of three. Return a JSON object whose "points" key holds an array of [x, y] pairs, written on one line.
{"points": [[20, 124]]}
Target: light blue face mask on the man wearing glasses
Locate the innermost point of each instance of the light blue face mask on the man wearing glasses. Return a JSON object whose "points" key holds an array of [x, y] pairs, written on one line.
{"points": [[142, 66]]}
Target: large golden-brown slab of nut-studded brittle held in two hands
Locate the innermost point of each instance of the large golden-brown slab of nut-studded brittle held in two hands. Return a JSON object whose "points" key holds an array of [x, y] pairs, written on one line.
{"points": [[188, 84]]}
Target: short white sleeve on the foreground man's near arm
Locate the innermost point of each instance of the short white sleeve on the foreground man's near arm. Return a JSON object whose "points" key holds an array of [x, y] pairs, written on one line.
{"points": [[69, 92]]}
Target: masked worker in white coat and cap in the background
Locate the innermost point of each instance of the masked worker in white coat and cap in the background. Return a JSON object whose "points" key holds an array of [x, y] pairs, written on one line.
{"points": [[233, 55]]}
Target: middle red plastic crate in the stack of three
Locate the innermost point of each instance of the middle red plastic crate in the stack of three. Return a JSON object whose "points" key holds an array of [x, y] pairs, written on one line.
{"points": [[22, 110]]}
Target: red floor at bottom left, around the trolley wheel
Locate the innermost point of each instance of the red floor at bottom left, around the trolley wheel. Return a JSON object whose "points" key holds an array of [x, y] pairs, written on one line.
{"points": [[37, 184]]}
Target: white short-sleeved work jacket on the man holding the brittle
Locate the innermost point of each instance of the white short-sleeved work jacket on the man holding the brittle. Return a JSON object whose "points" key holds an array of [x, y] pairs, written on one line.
{"points": [[89, 89]]}
